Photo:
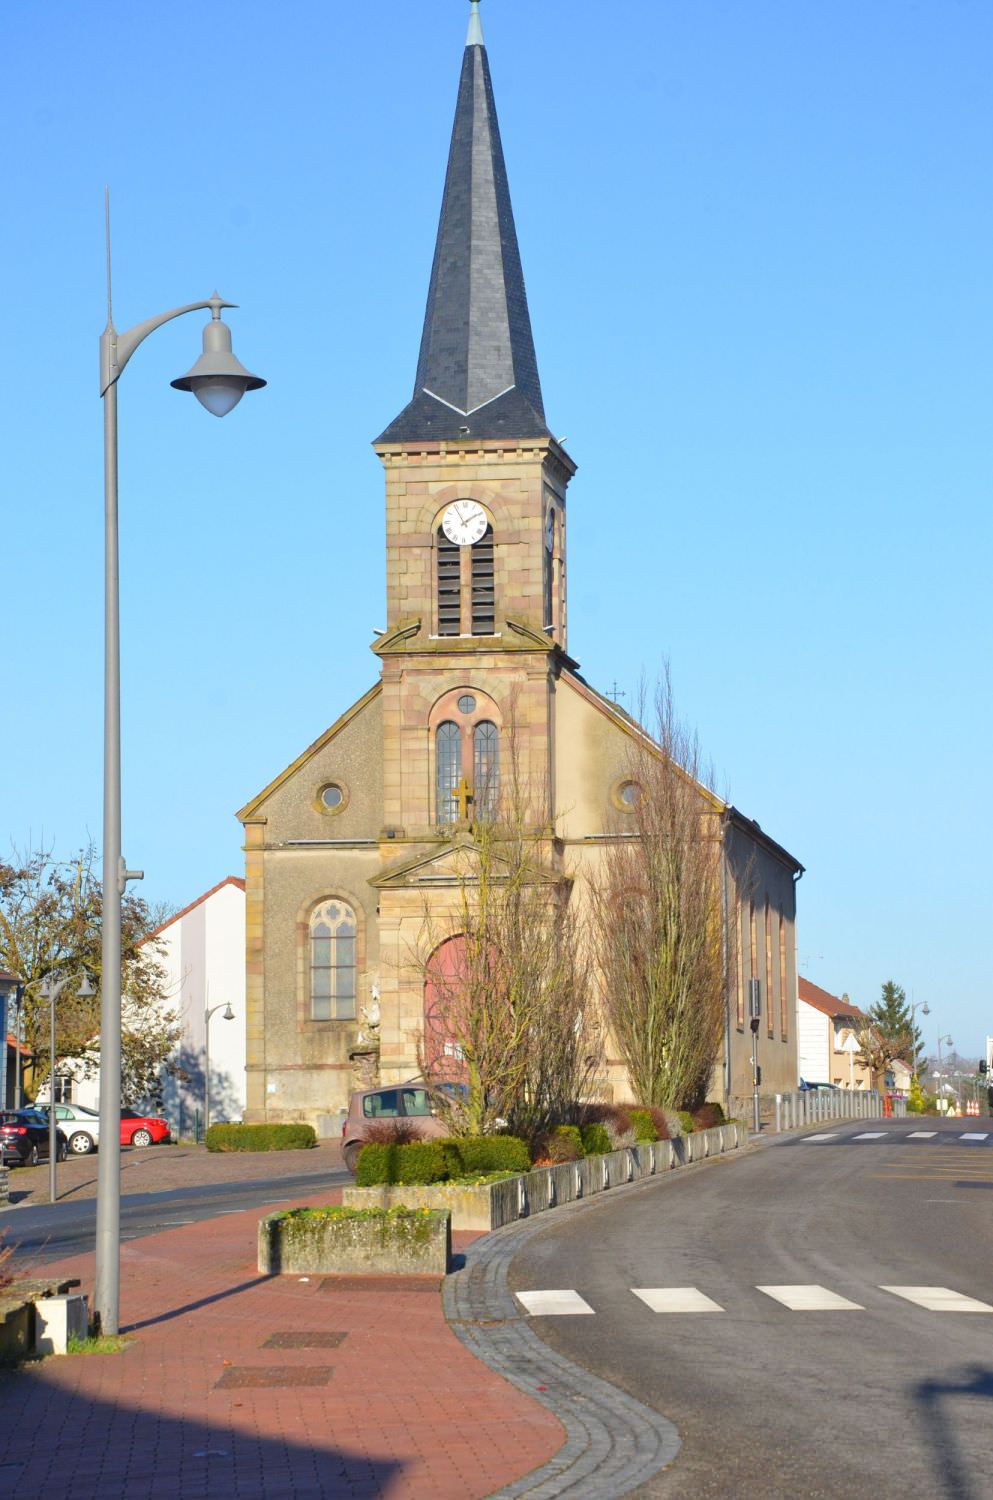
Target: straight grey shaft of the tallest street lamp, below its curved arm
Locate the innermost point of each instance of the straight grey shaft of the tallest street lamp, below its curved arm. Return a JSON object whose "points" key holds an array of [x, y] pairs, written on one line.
{"points": [[107, 1291]]}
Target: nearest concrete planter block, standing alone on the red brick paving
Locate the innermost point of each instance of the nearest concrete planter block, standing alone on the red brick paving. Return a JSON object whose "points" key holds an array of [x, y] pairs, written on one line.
{"points": [[328, 1244]]}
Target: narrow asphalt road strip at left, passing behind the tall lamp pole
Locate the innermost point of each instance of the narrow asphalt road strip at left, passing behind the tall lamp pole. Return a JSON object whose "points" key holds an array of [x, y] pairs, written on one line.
{"points": [[55, 1231]]}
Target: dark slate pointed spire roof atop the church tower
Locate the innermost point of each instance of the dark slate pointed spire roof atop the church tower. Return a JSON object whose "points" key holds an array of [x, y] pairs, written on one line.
{"points": [[478, 368]]}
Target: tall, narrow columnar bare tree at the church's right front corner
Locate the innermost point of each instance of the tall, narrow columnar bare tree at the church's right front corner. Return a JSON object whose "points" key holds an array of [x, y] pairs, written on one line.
{"points": [[662, 952]]}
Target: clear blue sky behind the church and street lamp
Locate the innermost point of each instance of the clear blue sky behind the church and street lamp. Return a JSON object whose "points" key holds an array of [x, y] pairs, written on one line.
{"points": [[758, 245]]}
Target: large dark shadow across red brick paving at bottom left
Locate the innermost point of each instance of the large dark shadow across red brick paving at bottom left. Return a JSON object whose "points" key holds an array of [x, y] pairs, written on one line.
{"points": [[106, 1451]]}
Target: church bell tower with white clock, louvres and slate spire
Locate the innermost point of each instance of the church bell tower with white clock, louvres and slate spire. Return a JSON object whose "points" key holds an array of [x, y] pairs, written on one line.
{"points": [[476, 512]]}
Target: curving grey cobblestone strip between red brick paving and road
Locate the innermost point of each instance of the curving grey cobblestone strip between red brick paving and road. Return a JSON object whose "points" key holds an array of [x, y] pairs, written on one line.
{"points": [[613, 1442]]}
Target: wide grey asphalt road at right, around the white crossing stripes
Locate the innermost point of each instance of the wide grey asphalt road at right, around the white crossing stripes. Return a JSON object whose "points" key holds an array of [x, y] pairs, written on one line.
{"points": [[878, 1400]]}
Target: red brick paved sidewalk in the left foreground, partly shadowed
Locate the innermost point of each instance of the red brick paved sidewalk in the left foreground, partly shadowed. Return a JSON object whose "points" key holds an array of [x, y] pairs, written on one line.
{"points": [[250, 1388]]}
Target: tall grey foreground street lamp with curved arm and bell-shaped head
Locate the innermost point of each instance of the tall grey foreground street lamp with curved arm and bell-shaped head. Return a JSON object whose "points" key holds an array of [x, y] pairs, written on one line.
{"points": [[218, 382]]}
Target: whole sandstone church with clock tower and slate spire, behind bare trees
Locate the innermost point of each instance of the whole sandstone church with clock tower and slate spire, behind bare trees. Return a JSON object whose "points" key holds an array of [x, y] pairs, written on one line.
{"points": [[352, 845]]}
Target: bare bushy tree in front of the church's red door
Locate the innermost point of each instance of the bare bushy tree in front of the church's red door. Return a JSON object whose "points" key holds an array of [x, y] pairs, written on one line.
{"points": [[509, 1021]]}
